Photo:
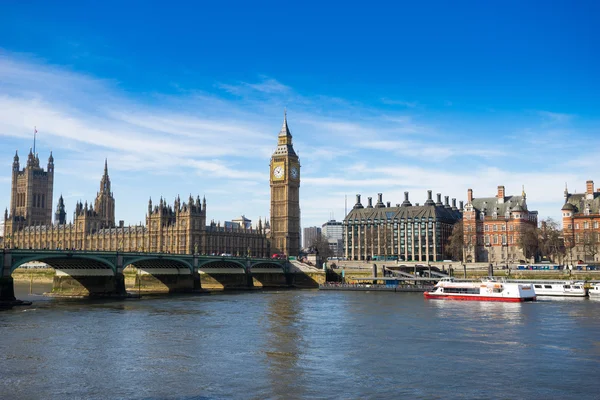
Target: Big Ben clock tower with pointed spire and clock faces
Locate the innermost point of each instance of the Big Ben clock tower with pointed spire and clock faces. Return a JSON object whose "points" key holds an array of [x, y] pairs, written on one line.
{"points": [[285, 192]]}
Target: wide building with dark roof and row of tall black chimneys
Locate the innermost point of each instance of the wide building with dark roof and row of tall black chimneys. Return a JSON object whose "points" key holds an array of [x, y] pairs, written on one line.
{"points": [[404, 232]]}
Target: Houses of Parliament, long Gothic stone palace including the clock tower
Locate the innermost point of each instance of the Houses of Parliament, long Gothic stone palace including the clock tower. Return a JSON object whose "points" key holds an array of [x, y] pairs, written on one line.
{"points": [[179, 228]]}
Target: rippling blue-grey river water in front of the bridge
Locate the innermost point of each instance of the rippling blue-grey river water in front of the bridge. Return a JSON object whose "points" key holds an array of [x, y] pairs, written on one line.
{"points": [[299, 345]]}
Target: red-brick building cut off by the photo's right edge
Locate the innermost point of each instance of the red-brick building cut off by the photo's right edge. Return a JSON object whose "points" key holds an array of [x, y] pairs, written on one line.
{"points": [[581, 220]]}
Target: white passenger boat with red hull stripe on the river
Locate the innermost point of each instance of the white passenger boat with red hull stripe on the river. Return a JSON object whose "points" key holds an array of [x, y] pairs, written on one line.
{"points": [[488, 289]]}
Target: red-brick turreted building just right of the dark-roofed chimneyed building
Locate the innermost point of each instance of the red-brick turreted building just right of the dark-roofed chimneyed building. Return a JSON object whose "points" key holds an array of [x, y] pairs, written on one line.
{"points": [[492, 227]]}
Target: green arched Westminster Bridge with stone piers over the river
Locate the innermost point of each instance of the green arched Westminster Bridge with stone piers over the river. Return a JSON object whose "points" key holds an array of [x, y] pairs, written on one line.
{"points": [[101, 273]]}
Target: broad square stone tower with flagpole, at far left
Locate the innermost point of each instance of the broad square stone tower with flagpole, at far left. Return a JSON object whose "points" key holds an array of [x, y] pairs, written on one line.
{"points": [[31, 193]]}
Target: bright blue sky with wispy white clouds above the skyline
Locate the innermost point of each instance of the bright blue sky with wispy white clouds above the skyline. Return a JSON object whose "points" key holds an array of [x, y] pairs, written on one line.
{"points": [[188, 98]]}
